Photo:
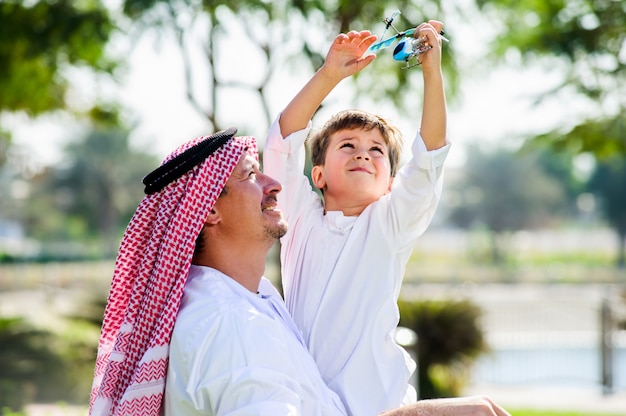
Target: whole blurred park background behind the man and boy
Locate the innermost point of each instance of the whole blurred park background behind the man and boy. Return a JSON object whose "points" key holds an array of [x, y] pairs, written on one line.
{"points": [[517, 290]]}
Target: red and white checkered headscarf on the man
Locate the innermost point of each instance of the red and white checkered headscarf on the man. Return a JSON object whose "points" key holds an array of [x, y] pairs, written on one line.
{"points": [[150, 273]]}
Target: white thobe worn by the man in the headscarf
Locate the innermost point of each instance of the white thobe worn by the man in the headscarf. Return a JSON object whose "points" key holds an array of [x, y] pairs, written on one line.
{"points": [[234, 352]]}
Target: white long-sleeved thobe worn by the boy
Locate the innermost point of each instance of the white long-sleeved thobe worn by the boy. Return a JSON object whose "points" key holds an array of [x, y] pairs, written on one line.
{"points": [[342, 275]]}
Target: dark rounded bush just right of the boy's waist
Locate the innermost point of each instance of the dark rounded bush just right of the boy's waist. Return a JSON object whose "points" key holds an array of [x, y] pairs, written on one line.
{"points": [[449, 340]]}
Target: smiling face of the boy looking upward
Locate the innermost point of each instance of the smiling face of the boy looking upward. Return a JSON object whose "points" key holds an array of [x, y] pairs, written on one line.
{"points": [[356, 169]]}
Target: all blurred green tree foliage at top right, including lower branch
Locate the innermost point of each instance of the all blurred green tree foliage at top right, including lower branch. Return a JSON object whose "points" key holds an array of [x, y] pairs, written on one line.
{"points": [[586, 40]]}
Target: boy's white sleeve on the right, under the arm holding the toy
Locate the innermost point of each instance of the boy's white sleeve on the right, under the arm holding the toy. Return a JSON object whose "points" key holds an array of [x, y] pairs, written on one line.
{"points": [[416, 192]]}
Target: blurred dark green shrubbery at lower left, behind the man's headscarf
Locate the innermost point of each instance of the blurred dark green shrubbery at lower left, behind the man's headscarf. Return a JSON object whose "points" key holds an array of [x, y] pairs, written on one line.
{"points": [[48, 367]]}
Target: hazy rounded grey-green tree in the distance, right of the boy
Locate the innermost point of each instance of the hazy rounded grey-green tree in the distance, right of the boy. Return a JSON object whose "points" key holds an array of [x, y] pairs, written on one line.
{"points": [[502, 192]]}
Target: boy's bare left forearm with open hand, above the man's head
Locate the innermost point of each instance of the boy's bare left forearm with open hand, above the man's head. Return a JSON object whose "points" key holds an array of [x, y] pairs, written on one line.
{"points": [[344, 58]]}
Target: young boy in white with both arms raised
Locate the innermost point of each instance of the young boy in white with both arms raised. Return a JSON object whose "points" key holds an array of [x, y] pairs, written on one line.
{"points": [[343, 258]]}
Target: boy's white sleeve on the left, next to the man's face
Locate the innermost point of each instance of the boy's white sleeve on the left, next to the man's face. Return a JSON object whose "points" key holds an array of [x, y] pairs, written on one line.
{"points": [[284, 160]]}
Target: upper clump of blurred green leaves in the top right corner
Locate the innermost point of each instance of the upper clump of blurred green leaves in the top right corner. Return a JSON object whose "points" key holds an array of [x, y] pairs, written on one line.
{"points": [[578, 31]]}
